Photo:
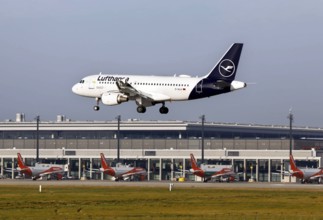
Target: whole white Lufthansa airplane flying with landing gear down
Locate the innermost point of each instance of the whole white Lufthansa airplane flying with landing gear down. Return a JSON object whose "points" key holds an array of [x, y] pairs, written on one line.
{"points": [[150, 90]]}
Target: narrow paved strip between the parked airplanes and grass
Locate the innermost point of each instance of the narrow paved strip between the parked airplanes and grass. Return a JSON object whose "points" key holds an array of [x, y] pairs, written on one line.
{"points": [[103, 183]]}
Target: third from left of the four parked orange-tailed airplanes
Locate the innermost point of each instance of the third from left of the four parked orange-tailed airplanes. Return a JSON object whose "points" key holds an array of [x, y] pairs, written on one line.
{"points": [[209, 172]]}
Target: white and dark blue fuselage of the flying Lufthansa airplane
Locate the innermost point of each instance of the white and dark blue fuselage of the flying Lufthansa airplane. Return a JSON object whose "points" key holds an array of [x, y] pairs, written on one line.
{"points": [[176, 88]]}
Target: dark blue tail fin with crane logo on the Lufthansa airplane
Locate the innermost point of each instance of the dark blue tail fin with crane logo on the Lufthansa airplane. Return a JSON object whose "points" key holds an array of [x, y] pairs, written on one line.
{"points": [[225, 70]]}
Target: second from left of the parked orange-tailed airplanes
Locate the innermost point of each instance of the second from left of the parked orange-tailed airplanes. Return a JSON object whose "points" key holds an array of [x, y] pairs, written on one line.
{"points": [[120, 171]]}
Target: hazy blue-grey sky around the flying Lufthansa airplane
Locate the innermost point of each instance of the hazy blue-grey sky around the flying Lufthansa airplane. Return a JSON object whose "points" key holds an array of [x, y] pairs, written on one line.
{"points": [[47, 46]]}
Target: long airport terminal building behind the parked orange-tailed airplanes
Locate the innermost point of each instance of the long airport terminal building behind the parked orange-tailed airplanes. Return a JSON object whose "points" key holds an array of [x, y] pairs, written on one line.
{"points": [[163, 148]]}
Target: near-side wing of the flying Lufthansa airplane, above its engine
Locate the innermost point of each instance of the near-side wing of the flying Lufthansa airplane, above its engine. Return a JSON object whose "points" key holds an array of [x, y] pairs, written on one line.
{"points": [[126, 88]]}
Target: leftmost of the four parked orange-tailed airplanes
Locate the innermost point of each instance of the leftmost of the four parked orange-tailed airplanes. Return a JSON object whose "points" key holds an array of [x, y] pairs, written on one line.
{"points": [[41, 169]]}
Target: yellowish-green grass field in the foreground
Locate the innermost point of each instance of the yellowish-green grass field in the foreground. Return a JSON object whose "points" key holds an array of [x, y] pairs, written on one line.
{"points": [[65, 202]]}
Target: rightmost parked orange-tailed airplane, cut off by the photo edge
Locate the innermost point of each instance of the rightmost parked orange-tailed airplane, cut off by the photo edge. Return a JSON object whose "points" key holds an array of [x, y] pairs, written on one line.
{"points": [[306, 175]]}
